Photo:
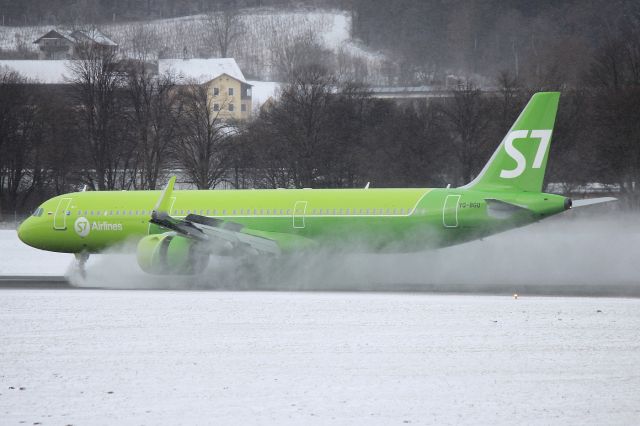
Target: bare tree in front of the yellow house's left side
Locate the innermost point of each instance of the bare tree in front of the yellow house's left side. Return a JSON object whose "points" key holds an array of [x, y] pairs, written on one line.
{"points": [[203, 149]]}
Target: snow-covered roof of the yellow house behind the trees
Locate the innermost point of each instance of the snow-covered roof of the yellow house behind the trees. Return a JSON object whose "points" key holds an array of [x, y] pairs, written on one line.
{"points": [[201, 70]]}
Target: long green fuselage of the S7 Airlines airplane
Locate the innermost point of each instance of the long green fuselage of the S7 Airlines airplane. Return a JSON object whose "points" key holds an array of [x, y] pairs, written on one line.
{"points": [[369, 219]]}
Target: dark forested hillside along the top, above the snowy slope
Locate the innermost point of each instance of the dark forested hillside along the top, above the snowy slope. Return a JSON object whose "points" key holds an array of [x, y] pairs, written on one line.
{"points": [[542, 43]]}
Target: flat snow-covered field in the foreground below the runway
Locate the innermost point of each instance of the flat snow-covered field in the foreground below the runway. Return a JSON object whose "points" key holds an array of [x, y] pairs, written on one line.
{"points": [[145, 357]]}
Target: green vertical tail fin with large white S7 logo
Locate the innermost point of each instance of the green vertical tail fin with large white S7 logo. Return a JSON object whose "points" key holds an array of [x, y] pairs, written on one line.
{"points": [[520, 161]]}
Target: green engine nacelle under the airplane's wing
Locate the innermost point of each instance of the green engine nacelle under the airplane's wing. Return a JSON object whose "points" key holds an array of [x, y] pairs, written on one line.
{"points": [[171, 254]]}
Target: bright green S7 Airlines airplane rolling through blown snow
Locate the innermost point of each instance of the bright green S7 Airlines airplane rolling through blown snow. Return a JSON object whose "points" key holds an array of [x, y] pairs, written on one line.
{"points": [[178, 230]]}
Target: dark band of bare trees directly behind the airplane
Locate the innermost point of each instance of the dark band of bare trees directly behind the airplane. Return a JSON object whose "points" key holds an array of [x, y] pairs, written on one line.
{"points": [[118, 126]]}
